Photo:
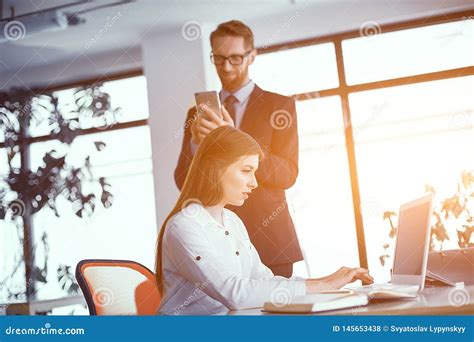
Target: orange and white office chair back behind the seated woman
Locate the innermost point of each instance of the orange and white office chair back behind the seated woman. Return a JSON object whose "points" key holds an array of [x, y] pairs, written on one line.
{"points": [[118, 287]]}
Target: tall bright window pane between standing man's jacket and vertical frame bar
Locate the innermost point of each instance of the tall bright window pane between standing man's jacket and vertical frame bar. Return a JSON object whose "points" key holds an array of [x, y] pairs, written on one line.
{"points": [[320, 201]]}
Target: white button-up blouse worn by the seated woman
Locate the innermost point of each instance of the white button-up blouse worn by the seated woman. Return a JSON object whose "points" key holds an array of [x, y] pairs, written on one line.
{"points": [[209, 268]]}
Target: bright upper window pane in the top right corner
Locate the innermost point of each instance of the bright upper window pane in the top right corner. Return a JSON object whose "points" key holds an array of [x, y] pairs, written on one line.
{"points": [[409, 52]]}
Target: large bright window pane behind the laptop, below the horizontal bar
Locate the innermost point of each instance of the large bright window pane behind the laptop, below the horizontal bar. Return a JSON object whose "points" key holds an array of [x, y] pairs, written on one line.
{"points": [[415, 136]]}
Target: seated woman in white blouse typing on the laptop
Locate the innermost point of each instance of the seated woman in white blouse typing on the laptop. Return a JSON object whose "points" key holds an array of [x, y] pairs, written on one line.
{"points": [[205, 262]]}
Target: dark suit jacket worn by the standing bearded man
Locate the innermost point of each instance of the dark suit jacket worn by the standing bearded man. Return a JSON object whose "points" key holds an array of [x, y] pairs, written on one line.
{"points": [[270, 119]]}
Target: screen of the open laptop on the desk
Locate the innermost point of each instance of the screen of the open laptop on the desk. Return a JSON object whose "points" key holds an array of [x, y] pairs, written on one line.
{"points": [[411, 239]]}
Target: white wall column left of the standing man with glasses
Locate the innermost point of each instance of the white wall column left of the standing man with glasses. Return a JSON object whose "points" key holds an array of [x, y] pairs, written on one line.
{"points": [[174, 69]]}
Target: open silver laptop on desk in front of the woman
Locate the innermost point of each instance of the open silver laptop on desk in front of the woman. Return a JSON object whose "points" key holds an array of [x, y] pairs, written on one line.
{"points": [[411, 250]]}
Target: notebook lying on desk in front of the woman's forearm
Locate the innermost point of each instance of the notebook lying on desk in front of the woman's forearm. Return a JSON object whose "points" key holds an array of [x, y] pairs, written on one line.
{"points": [[318, 302]]}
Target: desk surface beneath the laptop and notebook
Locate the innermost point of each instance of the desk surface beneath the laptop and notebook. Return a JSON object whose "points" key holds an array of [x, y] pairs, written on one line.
{"points": [[431, 301]]}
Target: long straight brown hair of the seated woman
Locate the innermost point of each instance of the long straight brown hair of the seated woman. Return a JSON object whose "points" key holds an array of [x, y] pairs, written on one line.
{"points": [[220, 149]]}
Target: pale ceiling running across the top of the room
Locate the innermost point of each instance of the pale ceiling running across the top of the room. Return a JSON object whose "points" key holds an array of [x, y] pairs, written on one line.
{"points": [[124, 26]]}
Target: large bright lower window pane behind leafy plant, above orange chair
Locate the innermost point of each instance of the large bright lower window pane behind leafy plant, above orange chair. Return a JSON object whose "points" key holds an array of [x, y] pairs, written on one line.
{"points": [[126, 230]]}
